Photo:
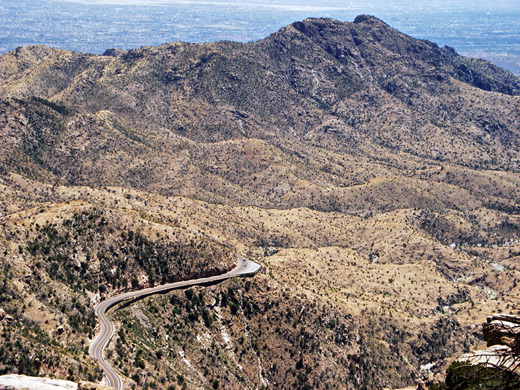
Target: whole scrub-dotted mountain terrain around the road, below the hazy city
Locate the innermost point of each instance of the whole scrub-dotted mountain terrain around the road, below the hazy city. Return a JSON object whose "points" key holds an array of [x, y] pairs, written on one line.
{"points": [[374, 176]]}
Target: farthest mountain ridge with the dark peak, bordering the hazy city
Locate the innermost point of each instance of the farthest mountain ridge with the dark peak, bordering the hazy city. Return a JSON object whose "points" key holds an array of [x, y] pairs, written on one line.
{"points": [[320, 82]]}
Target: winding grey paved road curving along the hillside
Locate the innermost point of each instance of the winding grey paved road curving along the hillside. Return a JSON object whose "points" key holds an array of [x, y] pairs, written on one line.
{"points": [[243, 268]]}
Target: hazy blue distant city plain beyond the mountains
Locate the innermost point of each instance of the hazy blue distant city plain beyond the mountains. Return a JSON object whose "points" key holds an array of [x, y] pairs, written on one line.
{"points": [[479, 28]]}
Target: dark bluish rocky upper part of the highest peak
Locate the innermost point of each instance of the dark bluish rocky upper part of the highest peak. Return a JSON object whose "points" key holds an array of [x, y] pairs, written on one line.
{"points": [[375, 45]]}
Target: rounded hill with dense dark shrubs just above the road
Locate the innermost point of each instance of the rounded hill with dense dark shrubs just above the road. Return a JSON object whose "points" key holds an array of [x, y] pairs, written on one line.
{"points": [[99, 250]]}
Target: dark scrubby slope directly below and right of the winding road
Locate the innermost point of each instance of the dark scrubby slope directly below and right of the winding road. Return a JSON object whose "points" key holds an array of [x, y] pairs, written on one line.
{"points": [[234, 331]]}
